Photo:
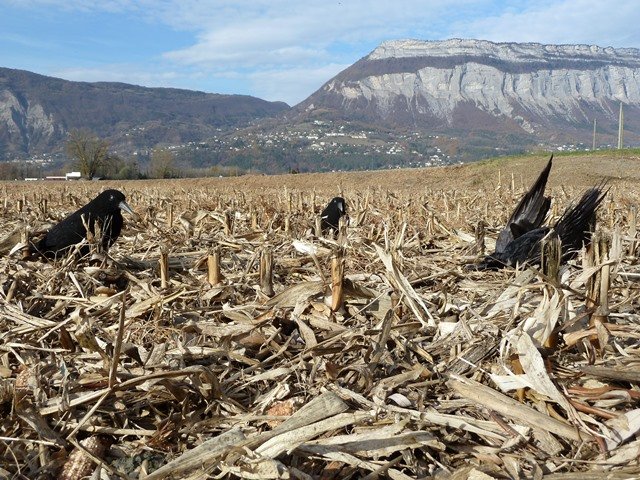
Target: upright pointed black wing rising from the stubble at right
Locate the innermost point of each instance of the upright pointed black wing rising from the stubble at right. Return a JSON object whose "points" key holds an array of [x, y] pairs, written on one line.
{"points": [[529, 213]]}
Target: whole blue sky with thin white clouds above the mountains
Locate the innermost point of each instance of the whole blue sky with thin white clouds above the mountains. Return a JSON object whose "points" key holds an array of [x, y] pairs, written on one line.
{"points": [[273, 49]]}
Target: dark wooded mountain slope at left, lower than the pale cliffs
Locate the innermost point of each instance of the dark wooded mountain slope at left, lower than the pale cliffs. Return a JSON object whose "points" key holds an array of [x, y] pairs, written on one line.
{"points": [[37, 112]]}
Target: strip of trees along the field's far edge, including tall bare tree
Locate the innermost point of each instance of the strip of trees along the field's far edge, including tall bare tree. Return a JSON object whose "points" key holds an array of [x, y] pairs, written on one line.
{"points": [[93, 158]]}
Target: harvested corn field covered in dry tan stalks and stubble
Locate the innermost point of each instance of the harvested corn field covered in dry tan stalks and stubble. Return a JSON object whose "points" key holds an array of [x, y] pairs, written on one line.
{"points": [[221, 339]]}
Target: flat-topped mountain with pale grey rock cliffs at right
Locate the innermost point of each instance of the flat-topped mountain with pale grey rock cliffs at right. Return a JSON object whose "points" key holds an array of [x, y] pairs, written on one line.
{"points": [[531, 92]]}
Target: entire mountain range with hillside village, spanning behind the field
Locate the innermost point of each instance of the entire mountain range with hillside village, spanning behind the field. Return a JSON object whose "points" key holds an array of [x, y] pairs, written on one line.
{"points": [[392, 107]]}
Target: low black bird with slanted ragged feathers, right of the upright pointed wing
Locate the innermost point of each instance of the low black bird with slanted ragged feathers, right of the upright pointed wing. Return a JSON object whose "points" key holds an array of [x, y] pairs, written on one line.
{"points": [[573, 229]]}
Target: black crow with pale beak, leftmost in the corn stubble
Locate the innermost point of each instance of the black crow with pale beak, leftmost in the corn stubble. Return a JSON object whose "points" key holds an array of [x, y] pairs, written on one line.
{"points": [[104, 209]]}
